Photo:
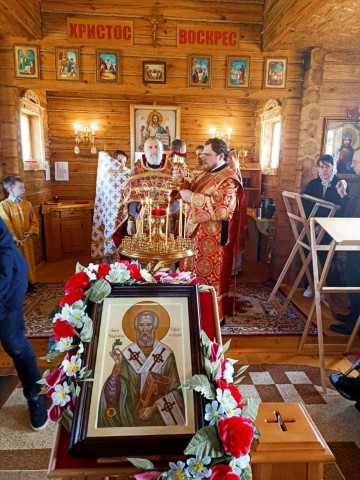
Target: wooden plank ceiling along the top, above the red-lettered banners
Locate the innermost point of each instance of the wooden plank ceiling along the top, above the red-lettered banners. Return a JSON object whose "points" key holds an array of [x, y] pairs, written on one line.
{"points": [[288, 24]]}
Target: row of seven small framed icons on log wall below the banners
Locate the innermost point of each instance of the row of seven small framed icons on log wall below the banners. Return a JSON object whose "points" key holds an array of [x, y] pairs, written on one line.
{"points": [[67, 67]]}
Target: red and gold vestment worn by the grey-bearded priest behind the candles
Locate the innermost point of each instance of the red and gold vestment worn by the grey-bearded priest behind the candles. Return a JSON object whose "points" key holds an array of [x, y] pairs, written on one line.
{"points": [[145, 182]]}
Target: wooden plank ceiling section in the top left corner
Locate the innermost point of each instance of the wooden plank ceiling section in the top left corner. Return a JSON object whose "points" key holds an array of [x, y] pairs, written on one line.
{"points": [[22, 19]]}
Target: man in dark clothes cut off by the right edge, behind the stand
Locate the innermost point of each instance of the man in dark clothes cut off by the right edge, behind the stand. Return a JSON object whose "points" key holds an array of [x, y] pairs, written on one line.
{"points": [[351, 206]]}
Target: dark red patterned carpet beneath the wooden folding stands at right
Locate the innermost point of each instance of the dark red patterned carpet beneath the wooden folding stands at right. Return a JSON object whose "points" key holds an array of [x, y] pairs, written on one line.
{"points": [[256, 315]]}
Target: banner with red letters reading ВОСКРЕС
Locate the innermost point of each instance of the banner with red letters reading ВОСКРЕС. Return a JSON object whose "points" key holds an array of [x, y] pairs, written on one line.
{"points": [[224, 38]]}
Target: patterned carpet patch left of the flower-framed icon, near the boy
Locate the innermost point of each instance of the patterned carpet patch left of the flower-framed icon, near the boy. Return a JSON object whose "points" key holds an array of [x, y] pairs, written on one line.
{"points": [[37, 307]]}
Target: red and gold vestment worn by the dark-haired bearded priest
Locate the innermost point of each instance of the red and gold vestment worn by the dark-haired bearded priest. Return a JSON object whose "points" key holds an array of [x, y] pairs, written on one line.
{"points": [[216, 197]]}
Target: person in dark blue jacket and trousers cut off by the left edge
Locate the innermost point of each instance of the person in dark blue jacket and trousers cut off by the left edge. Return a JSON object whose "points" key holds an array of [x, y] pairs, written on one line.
{"points": [[13, 286]]}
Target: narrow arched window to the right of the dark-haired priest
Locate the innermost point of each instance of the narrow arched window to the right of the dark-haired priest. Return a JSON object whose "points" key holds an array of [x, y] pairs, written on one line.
{"points": [[270, 136]]}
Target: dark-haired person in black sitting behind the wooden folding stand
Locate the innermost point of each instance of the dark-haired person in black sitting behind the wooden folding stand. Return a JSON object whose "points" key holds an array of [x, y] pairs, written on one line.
{"points": [[323, 187]]}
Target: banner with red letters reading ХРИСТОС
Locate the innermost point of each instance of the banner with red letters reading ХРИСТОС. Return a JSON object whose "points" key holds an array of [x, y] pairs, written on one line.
{"points": [[100, 31]]}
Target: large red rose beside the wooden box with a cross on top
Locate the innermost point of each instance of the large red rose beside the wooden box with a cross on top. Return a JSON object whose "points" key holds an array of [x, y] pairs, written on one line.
{"points": [[236, 433]]}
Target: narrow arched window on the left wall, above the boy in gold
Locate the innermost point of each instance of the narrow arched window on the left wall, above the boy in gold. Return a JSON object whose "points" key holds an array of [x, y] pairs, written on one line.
{"points": [[32, 132]]}
